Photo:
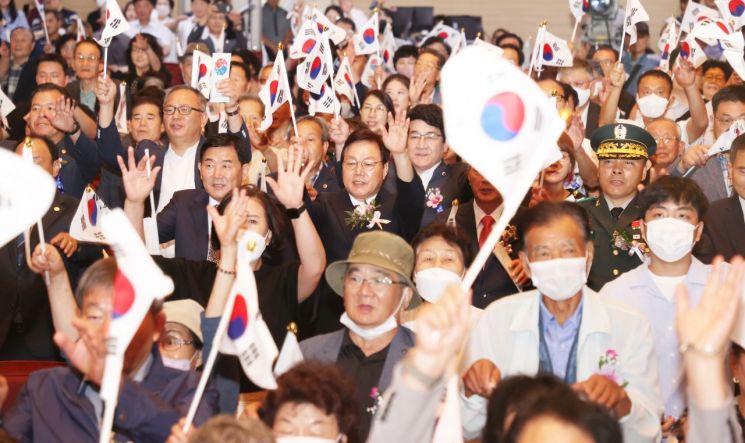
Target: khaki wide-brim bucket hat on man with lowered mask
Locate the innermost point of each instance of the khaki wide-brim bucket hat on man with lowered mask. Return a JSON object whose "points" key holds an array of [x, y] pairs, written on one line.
{"points": [[381, 249]]}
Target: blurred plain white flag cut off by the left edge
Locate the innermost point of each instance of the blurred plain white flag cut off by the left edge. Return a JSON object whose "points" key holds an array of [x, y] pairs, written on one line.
{"points": [[26, 193]]}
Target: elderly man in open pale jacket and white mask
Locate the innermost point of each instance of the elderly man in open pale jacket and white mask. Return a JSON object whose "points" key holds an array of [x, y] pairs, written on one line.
{"points": [[603, 348]]}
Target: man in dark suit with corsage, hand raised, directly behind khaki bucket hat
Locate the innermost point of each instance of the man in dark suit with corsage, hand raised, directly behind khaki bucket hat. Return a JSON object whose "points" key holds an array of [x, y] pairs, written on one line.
{"points": [[364, 204]]}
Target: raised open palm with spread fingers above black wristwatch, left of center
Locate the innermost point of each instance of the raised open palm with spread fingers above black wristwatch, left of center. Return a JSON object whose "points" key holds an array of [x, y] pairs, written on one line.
{"points": [[290, 183]]}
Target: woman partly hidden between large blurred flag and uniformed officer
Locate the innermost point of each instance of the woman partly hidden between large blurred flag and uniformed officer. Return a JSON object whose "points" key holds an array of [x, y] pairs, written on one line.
{"points": [[557, 177]]}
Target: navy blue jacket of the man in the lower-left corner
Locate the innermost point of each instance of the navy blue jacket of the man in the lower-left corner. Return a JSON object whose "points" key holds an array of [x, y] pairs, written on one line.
{"points": [[52, 406]]}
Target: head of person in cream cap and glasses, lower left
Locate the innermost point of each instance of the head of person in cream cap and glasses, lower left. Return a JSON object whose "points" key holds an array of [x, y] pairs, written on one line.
{"points": [[181, 343]]}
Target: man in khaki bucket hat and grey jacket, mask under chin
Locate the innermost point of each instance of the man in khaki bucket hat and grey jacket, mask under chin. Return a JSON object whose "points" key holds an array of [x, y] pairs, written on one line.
{"points": [[374, 282]]}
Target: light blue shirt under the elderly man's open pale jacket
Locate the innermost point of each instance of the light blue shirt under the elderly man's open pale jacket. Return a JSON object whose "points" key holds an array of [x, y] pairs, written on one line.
{"points": [[560, 338]]}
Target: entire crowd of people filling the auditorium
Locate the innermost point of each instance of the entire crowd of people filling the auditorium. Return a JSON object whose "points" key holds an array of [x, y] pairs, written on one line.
{"points": [[604, 314]]}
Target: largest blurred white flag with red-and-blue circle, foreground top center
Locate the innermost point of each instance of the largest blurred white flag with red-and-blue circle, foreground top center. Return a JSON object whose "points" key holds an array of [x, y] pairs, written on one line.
{"points": [[499, 121]]}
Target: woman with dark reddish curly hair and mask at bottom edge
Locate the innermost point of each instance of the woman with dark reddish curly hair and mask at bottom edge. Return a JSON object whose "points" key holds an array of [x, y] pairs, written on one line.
{"points": [[312, 399]]}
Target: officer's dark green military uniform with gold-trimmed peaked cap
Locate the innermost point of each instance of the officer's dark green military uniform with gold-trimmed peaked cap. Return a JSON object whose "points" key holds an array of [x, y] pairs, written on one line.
{"points": [[619, 246]]}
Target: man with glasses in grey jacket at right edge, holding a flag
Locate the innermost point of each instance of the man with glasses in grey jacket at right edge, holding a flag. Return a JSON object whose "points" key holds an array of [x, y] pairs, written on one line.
{"points": [[712, 173]]}
